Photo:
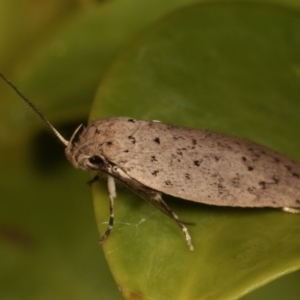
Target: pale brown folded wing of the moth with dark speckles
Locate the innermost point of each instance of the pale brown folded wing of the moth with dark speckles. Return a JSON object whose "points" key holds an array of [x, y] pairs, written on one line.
{"points": [[210, 168]]}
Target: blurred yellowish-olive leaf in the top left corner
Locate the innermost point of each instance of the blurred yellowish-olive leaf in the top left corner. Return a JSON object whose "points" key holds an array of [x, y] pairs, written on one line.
{"points": [[24, 24]]}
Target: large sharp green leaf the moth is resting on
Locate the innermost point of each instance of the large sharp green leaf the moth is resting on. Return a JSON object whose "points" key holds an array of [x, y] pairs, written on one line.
{"points": [[227, 67]]}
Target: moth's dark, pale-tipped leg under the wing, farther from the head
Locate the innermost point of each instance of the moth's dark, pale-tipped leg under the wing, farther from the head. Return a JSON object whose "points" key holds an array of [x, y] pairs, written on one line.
{"points": [[157, 201]]}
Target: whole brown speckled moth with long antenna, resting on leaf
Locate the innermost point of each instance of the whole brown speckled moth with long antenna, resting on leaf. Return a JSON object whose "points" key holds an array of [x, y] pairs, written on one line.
{"points": [[153, 158]]}
